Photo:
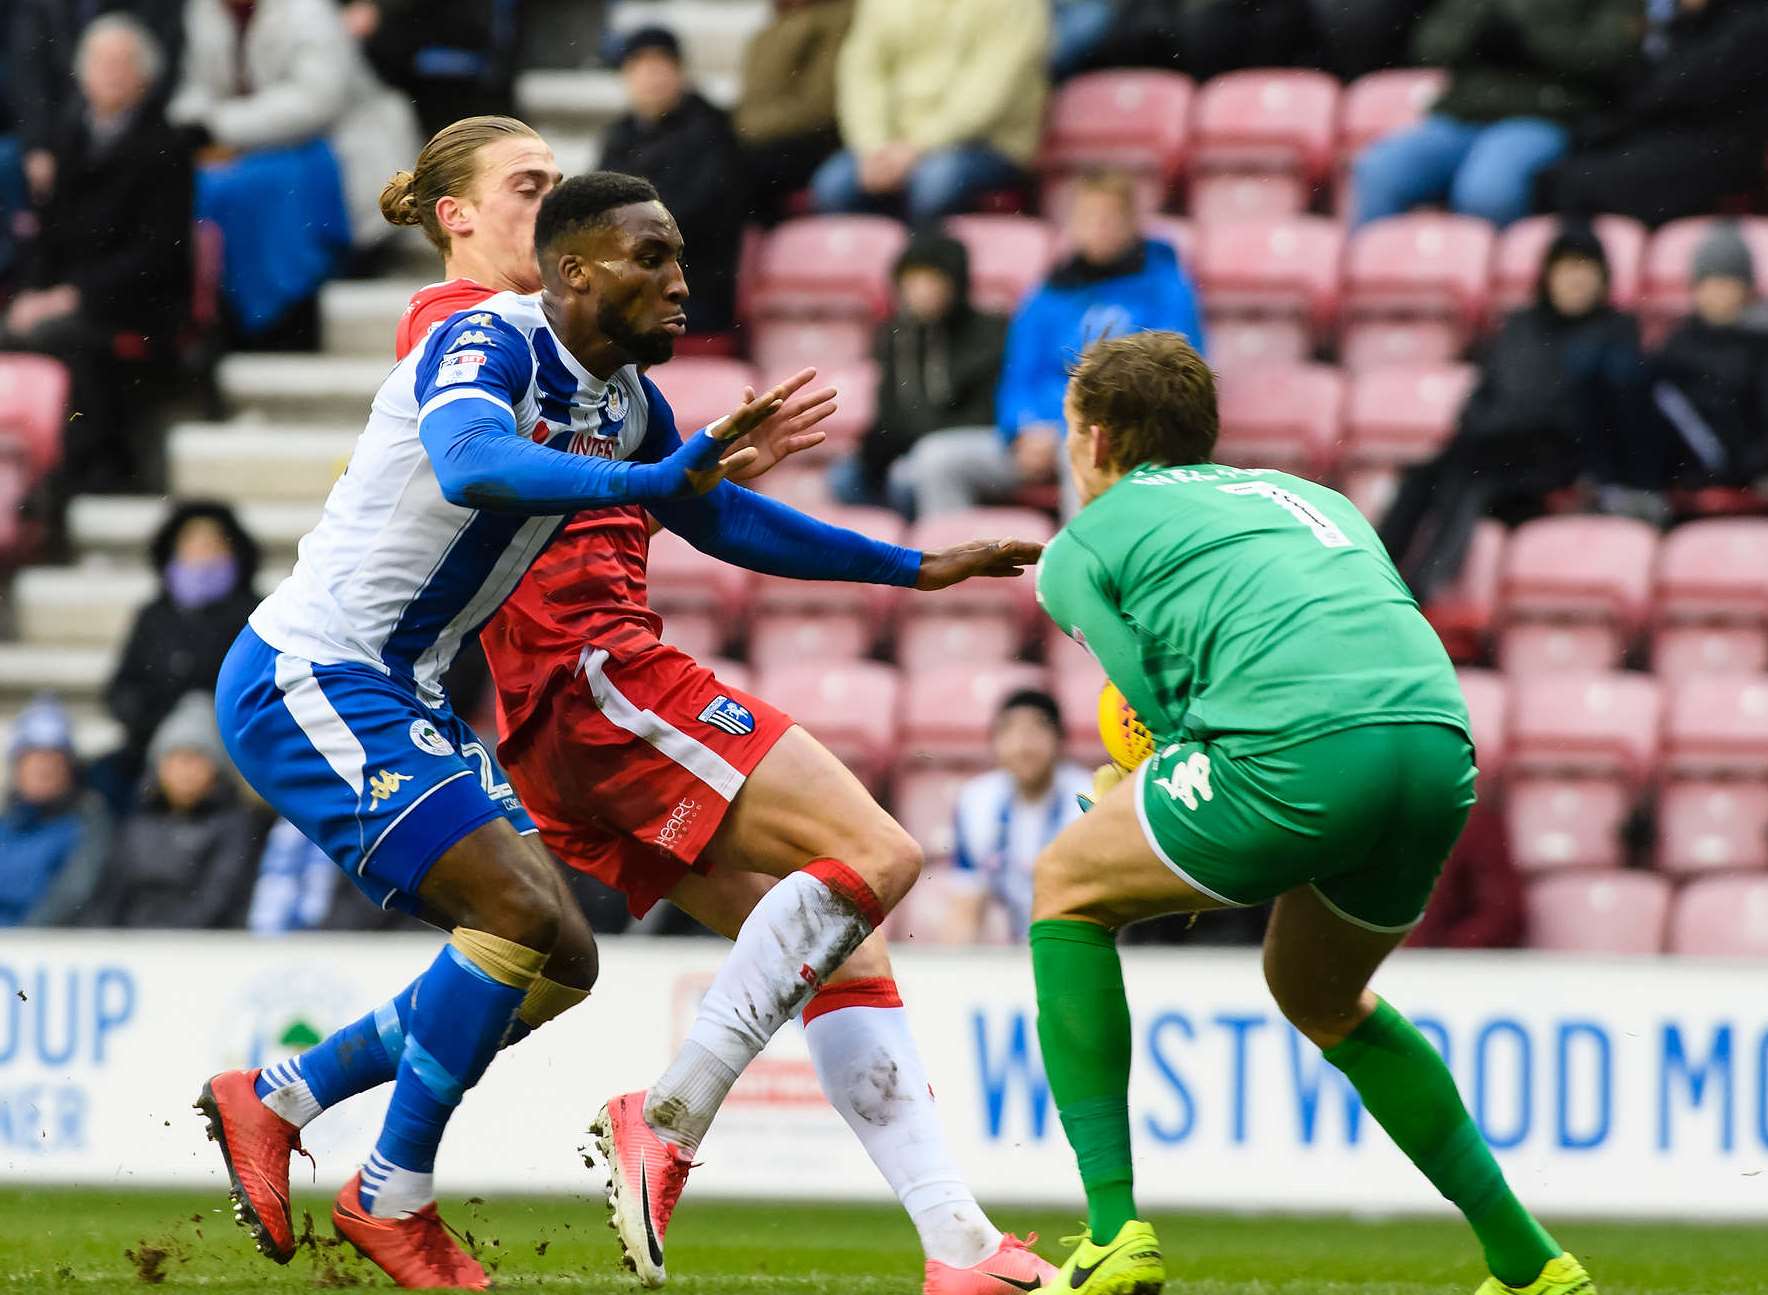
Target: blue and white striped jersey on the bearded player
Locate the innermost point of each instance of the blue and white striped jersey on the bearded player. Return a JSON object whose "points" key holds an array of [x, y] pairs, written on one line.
{"points": [[397, 576]]}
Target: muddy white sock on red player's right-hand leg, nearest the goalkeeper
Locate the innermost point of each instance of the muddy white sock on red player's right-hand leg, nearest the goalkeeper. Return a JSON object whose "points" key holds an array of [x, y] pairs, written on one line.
{"points": [[873, 1075]]}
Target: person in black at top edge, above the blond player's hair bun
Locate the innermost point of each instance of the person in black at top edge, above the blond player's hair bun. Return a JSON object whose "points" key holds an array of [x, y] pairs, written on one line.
{"points": [[452, 61]]}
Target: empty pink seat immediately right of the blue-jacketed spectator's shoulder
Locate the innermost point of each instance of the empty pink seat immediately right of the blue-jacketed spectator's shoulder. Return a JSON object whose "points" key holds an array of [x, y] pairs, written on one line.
{"points": [[1277, 275]]}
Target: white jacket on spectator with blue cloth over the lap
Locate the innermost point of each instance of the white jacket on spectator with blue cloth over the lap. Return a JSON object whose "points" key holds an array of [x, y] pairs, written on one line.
{"points": [[303, 79]]}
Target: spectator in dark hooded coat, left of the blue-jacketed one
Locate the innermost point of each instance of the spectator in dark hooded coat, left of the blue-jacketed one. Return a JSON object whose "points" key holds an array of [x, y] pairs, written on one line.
{"points": [[940, 365]]}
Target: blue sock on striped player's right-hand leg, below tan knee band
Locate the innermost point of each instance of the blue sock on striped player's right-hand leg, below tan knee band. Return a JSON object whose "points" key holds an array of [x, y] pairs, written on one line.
{"points": [[457, 1025]]}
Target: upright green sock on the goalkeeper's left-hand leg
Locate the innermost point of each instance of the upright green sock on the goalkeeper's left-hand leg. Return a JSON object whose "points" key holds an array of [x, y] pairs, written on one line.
{"points": [[1085, 1031]]}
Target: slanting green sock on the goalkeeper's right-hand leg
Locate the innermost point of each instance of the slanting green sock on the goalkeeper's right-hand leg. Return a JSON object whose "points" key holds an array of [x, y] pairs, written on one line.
{"points": [[1412, 1094]]}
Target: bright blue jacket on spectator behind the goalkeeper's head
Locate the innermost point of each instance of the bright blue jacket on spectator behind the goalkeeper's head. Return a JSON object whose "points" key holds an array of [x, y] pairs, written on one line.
{"points": [[1079, 305]]}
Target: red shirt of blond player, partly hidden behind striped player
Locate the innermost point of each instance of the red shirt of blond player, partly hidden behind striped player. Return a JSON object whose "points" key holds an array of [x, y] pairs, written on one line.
{"points": [[588, 586]]}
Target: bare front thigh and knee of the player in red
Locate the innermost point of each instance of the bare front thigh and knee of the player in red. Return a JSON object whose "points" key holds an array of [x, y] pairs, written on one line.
{"points": [[802, 804]]}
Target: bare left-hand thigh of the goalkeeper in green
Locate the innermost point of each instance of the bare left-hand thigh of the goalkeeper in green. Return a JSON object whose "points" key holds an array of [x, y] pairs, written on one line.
{"points": [[1102, 868]]}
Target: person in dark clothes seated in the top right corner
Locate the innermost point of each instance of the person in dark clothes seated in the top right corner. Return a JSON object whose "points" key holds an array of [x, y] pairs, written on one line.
{"points": [[1689, 134]]}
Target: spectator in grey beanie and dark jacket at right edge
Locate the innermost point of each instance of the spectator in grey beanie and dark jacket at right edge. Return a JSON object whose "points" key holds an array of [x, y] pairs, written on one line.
{"points": [[1711, 378]]}
